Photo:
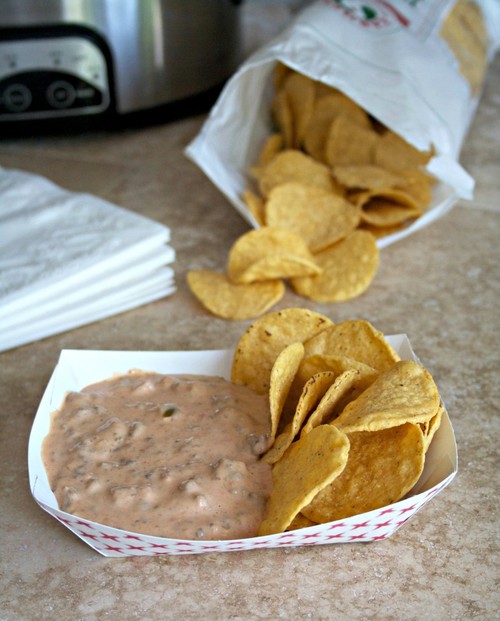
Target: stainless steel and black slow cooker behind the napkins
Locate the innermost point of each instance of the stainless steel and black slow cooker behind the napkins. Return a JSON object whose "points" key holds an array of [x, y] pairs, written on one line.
{"points": [[69, 62]]}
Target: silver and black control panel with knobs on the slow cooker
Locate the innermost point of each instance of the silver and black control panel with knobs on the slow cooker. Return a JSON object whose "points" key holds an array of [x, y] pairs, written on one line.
{"points": [[52, 77]]}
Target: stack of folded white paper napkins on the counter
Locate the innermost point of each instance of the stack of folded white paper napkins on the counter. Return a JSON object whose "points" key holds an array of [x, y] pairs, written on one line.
{"points": [[68, 259]]}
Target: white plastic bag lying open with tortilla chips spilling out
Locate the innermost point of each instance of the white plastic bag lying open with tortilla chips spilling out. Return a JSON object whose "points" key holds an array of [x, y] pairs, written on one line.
{"points": [[418, 68]]}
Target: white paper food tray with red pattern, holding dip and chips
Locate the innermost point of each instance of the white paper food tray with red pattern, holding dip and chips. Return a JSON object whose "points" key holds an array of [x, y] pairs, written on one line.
{"points": [[76, 369]]}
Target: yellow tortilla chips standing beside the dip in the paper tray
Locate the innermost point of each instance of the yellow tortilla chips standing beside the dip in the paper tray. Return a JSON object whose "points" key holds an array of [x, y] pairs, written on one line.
{"points": [[352, 422]]}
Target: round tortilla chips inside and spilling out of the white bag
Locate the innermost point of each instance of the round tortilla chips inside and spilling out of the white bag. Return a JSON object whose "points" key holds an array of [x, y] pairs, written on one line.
{"points": [[328, 182]]}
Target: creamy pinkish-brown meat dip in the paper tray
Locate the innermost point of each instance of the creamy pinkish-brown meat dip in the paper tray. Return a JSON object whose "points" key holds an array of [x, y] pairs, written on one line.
{"points": [[172, 456]]}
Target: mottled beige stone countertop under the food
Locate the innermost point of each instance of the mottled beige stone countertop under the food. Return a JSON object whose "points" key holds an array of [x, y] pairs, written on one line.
{"points": [[440, 286]]}
